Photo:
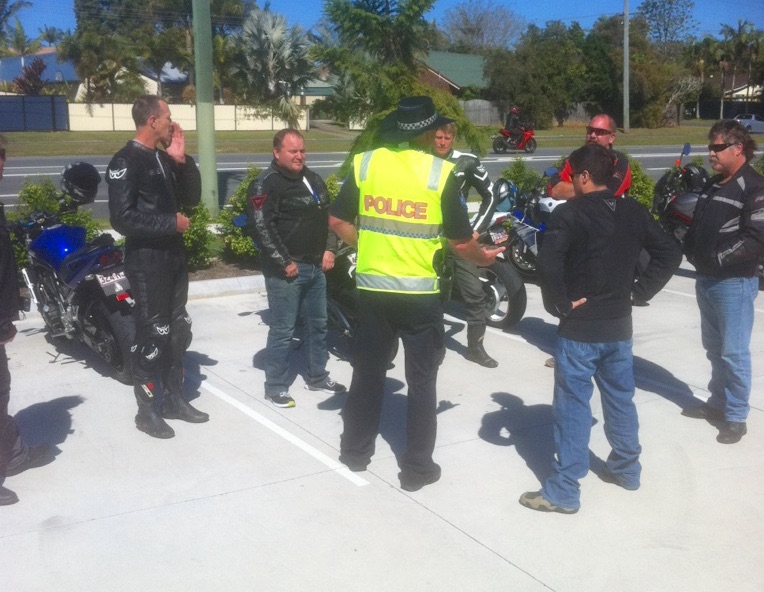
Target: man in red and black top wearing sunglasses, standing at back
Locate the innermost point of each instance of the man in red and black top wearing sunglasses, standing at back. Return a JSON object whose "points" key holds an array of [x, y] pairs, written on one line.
{"points": [[600, 131]]}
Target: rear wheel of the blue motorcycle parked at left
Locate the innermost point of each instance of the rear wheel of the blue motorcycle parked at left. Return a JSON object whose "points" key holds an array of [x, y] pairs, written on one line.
{"points": [[116, 332]]}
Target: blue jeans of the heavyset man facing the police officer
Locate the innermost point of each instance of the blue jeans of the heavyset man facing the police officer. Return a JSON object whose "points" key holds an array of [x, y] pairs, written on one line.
{"points": [[304, 295]]}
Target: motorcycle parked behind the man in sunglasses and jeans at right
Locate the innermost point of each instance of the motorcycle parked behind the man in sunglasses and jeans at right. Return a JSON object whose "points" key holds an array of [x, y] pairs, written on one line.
{"points": [[676, 194]]}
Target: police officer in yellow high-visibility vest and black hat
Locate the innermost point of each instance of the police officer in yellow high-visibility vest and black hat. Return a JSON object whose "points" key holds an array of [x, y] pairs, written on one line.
{"points": [[404, 199]]}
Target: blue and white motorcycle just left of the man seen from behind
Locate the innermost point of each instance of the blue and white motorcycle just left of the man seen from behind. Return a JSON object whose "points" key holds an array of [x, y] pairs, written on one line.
{"points": [[529, 214]]}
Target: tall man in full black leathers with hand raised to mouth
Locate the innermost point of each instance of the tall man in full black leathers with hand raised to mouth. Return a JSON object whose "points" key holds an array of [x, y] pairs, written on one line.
{"points": [[147, 188]]}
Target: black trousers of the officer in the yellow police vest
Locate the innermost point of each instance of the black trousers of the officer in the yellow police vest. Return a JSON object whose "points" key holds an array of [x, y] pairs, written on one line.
{"points": [[418, 320]]}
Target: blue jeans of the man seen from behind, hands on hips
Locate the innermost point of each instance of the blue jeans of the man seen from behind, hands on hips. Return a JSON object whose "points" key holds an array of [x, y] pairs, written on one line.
{"points": [[611, 365]]}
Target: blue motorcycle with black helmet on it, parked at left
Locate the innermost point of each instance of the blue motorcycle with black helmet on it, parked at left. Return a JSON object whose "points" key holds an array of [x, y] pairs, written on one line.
{"points": [[79, 287]]}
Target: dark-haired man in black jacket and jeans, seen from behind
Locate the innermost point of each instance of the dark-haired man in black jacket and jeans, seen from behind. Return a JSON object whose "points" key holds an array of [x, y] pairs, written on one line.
{"points": [[586, 266]]}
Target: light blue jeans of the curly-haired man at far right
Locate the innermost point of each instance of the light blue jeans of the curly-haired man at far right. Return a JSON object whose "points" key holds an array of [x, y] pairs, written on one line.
{"points": [[726, 324]]}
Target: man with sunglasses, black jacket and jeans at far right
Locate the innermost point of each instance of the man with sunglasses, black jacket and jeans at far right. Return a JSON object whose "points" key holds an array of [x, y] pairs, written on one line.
{"points": [[725, 244]]}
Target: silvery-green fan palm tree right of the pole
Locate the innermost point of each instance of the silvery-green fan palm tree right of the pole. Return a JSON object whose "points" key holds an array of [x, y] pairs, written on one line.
{"points": [[275, 60]]}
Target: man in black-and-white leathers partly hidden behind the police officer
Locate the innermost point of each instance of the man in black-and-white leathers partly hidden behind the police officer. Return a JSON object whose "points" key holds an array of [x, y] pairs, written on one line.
{"points": [[472, 173]]}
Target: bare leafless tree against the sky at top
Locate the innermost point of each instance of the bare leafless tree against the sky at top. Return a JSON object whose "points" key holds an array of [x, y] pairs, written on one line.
{"points": [[476, 27]]}
